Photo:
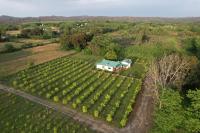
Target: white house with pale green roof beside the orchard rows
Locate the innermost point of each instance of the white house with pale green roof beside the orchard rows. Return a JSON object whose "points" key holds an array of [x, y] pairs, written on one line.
{"points": [[111, 66]]}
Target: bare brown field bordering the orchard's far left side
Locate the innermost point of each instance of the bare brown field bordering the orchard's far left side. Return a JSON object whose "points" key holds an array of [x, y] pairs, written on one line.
{"points": [[11, 62]]}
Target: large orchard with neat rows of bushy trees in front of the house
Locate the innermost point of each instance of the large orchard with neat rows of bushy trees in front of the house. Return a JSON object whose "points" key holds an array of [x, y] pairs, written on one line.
{"points": [[75, 83]]}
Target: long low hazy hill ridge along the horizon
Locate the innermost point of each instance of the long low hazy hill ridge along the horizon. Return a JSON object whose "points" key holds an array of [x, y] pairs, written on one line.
{"points": [[10, 19]]}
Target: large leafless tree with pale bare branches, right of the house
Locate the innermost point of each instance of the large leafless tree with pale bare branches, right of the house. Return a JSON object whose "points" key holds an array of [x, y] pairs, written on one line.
{"points": [[171, 70]]}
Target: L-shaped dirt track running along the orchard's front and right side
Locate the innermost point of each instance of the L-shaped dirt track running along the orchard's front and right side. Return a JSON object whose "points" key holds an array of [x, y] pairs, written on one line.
{"points": [[140, 119]]}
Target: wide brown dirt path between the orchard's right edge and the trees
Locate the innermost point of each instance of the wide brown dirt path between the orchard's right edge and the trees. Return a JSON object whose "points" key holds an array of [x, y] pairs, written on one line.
{"points": [[141, 117]]}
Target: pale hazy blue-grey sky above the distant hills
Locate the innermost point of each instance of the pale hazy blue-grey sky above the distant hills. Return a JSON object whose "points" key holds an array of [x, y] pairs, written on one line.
{"points": [[162, 8]]}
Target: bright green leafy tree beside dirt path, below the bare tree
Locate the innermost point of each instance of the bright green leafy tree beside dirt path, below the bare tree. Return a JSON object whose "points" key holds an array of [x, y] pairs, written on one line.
{"points": [[171, 114]]}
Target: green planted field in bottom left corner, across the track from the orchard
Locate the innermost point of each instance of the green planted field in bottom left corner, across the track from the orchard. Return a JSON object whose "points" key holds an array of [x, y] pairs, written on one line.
{"points": [[18, 115]]}
